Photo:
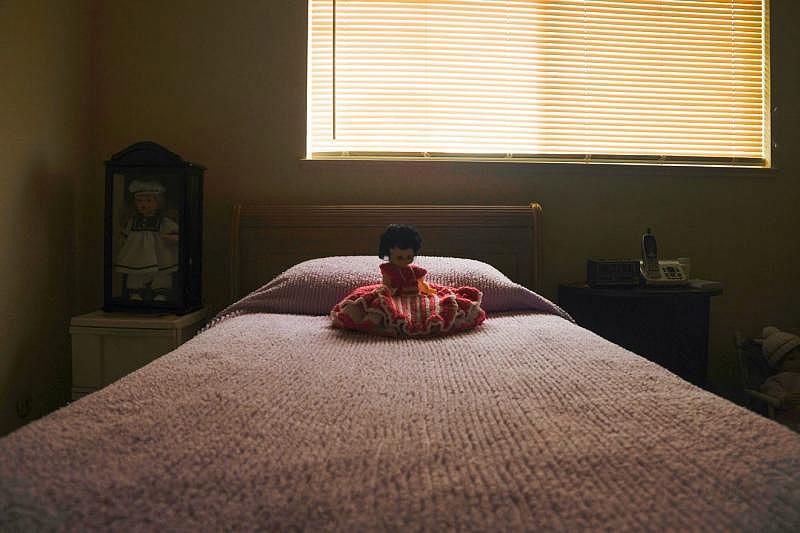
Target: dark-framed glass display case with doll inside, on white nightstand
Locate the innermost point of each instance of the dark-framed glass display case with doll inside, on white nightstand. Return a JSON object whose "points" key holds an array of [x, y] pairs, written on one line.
{"points": [[153, 231]]}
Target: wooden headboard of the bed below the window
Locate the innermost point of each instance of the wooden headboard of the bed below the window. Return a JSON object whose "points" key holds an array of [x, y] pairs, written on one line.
{"points": [[268, 239]]}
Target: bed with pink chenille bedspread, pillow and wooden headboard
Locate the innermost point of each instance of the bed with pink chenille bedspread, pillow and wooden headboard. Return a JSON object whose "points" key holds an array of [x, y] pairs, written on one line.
{"points": [[271, 419]]}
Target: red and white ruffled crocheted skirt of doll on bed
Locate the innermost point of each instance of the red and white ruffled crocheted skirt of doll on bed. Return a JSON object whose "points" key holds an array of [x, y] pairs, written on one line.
{"points": [[374, 309]]}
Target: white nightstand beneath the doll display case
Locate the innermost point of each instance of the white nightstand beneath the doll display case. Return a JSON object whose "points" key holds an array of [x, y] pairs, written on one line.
{"points": [[107, 346]]}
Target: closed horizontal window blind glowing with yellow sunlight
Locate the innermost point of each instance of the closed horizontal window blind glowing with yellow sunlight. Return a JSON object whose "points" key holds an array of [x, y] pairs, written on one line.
{"points": [[664, 81]]}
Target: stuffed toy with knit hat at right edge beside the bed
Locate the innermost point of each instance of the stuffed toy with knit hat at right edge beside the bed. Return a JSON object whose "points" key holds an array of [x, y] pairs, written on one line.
{"points": [[782, 352]]}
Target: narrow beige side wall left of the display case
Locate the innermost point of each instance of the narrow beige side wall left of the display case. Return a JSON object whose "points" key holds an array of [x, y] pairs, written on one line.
{"points": [[43, 153]]}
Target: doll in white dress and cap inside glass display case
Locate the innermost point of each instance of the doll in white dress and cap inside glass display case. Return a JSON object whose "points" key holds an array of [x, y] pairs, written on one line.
{"points": [[149, 254]]}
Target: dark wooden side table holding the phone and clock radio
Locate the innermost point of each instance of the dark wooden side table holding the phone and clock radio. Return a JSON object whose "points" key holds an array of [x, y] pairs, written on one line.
{"points": [[668, 326]]}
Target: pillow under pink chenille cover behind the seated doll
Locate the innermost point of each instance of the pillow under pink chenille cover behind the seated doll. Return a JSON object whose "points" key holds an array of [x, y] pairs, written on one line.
{"points": [[313, 287]]}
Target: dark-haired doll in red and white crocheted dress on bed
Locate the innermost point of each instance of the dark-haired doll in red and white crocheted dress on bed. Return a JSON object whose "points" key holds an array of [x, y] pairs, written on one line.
{"points": [[404, 304]]}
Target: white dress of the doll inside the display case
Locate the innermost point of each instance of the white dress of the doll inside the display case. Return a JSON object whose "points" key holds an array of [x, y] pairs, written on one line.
{"points": [[146, 251]]}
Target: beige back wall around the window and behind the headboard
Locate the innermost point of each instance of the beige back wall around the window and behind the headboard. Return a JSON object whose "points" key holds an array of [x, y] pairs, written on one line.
{"points": [[223, 83]]}
